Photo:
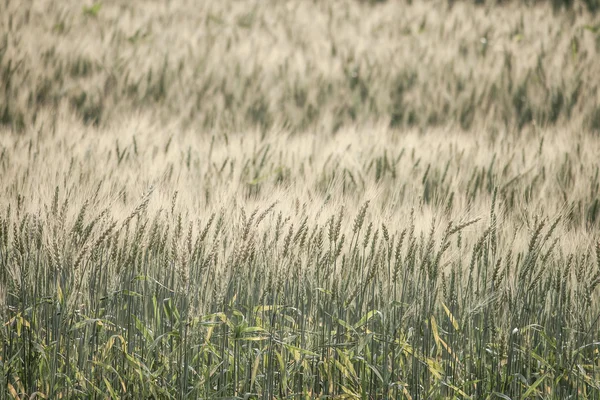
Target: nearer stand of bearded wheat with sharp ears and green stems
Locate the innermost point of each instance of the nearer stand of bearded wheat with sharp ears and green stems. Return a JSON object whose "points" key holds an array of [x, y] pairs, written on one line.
{"points": [[265, 266]]}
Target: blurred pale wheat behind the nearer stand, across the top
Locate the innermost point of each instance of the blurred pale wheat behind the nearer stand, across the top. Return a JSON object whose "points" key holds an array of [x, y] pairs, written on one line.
{"points": [[300, 65]]}
